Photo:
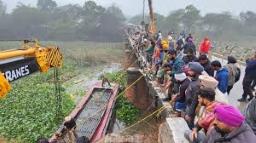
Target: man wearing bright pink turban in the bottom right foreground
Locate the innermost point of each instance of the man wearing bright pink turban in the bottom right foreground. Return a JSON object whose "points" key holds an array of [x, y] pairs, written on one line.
{"points": [[230, 127]]}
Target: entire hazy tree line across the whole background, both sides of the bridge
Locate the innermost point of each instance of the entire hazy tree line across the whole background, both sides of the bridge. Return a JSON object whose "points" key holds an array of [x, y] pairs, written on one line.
{"points": [[48, 21]]}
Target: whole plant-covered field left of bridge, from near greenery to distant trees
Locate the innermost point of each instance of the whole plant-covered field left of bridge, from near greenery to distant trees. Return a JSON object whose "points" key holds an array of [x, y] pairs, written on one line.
{"points": [[28, 111]]}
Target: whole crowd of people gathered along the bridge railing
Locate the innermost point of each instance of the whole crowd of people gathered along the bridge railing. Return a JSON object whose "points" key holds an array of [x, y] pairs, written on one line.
{"points": [[197, 86]]}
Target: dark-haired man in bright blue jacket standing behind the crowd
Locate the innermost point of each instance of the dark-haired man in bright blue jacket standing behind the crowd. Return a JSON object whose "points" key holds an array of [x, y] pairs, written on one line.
{"points": [[221, 76]]}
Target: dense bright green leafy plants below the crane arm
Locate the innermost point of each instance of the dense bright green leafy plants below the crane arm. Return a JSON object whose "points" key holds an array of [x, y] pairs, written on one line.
{"points": [[28, 112]]}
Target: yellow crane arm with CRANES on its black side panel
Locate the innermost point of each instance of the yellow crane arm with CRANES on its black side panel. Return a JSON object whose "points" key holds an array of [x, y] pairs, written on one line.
{"points": [[18, 63]]}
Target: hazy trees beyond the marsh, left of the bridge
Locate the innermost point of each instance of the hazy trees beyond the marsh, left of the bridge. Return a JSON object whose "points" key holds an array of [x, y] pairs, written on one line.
{"points": [[48, 21]]}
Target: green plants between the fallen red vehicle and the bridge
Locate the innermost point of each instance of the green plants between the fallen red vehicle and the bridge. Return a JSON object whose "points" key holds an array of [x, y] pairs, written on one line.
{"points": [[125, 111]]}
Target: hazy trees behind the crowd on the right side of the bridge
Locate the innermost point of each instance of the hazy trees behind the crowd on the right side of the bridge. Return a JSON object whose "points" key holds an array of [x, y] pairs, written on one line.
{"points": [[220, 26]]}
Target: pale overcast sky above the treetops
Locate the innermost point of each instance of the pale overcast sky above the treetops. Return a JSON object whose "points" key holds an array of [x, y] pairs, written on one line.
{"points": [[133, 7]]}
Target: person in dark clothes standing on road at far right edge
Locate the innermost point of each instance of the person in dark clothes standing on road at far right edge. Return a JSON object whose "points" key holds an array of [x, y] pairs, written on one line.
{"points": [[249, 77]]}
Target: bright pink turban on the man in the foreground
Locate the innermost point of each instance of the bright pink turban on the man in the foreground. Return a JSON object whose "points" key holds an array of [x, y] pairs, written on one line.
{"points": [[229, 115]]}
